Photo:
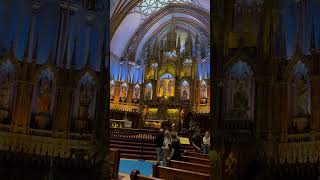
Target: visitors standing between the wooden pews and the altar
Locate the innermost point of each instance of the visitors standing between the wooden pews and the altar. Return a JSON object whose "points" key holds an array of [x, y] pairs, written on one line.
{"points": [[168, 145]]}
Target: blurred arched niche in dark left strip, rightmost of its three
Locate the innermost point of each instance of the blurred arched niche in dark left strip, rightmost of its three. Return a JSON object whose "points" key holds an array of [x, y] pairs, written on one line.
{"points": [[85, 112]]}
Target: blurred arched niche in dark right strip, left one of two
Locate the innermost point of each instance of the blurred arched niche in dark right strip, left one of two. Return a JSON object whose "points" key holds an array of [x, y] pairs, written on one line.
{"points": [[240, 91]]}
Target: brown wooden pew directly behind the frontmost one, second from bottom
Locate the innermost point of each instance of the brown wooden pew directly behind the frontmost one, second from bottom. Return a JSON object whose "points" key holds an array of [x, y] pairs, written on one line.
{"points": [[189, 166]]}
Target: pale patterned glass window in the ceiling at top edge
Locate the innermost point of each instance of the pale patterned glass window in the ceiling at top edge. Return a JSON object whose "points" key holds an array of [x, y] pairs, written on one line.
{"points": [[147, 7]]}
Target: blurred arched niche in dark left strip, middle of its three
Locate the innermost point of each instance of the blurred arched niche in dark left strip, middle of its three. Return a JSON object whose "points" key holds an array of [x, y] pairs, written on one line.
{"points": [[43, 101]]}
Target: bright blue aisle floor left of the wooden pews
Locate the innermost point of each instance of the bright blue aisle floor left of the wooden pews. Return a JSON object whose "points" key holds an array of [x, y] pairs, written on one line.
{"points": [[127, 165]]}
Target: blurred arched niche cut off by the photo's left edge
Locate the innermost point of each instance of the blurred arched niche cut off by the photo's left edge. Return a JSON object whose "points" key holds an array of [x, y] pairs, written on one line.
{"points": [[6, 89]]}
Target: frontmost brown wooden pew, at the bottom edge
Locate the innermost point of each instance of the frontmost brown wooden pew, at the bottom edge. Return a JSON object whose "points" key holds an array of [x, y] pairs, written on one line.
{"points": [[169, 173]]}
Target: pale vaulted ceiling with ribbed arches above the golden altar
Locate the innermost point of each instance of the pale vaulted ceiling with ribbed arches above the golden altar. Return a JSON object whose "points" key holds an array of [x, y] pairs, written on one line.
{"points": [[131, 28]]}
